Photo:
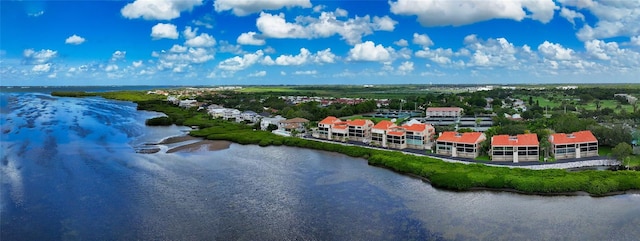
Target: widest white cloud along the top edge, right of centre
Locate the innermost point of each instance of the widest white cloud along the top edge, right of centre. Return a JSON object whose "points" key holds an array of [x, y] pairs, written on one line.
{"points": [[457, 13]]}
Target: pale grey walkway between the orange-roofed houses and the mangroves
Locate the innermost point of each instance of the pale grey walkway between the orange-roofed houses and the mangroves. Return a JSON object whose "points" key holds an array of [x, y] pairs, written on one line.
{"points": [[562, 164]]}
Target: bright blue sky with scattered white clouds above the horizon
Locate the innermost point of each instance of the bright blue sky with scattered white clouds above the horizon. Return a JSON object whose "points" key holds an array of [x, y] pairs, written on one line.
{"points": [[247, 42]]}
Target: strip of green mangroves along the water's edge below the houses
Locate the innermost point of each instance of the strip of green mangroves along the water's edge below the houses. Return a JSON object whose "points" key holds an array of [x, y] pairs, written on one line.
{"points": [[446, 175]]}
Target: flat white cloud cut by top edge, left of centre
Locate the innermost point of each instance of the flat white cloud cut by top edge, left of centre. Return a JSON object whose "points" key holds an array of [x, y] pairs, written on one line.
{"points": [[246, 7]]}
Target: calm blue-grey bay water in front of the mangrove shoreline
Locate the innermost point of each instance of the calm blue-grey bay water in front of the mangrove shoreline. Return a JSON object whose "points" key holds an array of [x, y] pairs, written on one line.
{"points": [[70, 172]]}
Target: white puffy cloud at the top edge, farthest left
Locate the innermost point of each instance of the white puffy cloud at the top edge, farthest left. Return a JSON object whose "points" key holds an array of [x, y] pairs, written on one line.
{"points": [[158, 9]]}
